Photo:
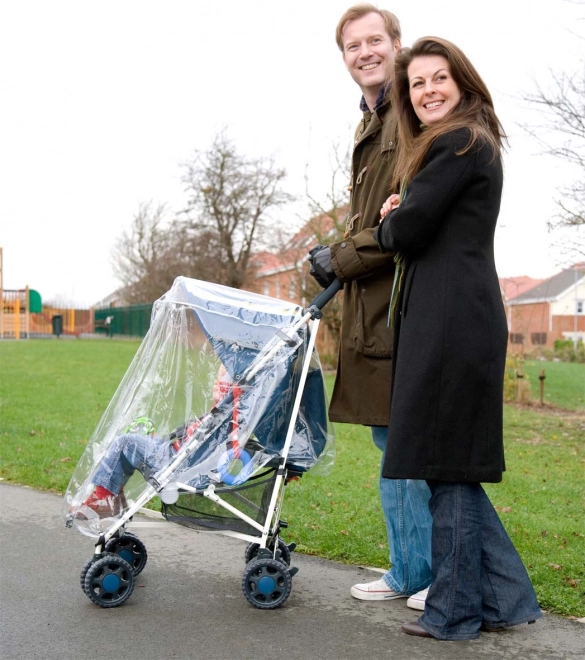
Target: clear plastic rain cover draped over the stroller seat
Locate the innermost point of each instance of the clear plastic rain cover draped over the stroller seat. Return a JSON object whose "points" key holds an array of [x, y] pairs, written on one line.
{"points": [[212, 388]]}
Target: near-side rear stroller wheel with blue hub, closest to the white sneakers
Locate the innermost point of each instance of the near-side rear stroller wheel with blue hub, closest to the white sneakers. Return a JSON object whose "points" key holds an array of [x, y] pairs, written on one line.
{"points": [[266, 583]]}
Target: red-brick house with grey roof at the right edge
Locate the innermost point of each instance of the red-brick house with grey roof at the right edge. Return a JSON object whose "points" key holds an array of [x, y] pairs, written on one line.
{"points": [[552, 309]]}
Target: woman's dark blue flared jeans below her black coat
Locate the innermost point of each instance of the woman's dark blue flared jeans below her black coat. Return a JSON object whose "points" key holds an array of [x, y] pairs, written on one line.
{"points": [[478, 577]]}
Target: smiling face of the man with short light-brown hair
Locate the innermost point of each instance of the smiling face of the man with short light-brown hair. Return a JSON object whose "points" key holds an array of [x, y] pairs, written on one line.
{"points": [[369, 52]]}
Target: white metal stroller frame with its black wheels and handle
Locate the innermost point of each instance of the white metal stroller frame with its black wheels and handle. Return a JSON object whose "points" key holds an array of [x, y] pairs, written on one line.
{"points": [[267, 580]]}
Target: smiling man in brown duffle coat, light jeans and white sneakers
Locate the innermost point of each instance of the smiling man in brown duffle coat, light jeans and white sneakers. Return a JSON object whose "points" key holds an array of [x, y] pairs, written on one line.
{"points": [[369, 39]]}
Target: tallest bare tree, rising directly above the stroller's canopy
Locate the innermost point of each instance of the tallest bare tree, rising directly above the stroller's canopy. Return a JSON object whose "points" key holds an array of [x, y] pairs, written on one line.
{"points": [[230, 201]]}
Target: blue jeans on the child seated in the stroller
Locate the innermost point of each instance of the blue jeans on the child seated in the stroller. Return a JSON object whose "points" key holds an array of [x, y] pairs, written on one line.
{"points": [[130, 452]]}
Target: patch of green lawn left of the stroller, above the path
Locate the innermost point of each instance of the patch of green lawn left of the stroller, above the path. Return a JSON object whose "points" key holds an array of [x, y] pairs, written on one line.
{"points": [[52, 395]]}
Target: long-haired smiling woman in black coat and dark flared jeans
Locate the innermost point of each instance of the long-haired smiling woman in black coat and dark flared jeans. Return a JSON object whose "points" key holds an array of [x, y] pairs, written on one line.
{"points": [[450, 338]]}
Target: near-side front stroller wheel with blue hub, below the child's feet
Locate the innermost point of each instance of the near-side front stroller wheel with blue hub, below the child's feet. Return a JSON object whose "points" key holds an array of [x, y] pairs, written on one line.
{"points": [[109, 581]]}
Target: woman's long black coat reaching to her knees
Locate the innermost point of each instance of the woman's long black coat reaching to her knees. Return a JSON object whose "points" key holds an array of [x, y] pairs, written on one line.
{"points": [[451, 333]]}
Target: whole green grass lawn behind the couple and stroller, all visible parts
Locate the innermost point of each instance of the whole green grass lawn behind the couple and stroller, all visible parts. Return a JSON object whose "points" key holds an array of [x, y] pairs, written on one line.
{"points": [[53, 393]]}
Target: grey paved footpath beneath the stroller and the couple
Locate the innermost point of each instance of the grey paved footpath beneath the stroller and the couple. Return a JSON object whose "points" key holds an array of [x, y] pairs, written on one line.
{"points": [[188, 604]]}
